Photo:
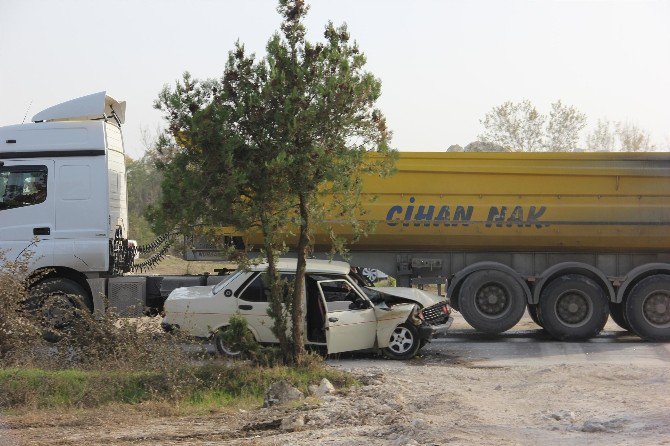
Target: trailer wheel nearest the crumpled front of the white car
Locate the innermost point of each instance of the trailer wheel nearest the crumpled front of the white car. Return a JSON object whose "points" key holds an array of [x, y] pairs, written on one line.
{"points": [[491, 301]]}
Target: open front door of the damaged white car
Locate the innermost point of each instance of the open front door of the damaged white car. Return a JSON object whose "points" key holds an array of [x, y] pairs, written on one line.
{"points": [[350, 318]]}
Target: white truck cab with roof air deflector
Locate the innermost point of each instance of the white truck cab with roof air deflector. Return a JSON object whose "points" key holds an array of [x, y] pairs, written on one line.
{"points": [[63, 190]]}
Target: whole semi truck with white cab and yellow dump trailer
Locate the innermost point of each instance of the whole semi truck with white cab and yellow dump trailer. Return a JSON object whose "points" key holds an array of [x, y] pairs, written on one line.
{"points": [[572, 238]]}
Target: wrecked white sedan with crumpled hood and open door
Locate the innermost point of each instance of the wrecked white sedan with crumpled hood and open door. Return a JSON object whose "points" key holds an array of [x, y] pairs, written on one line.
{"points": [[341, 313]]}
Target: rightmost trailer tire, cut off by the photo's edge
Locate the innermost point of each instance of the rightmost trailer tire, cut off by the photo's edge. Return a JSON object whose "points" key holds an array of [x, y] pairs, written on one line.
{"points": [[648, 308]]}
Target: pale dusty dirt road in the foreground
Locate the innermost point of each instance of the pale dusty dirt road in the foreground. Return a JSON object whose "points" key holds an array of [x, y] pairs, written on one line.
{"points": [[519, 388]]}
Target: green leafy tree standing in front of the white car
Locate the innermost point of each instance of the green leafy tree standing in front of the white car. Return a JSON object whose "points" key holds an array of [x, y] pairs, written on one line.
{"points": [[257, 148]]}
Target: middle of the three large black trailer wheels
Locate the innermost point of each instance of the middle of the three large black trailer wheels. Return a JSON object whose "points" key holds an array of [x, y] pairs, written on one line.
{"points": [[573, 307]]}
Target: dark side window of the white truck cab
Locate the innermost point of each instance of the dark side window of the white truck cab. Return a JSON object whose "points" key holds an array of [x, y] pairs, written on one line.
{"points": [[22, 186]]}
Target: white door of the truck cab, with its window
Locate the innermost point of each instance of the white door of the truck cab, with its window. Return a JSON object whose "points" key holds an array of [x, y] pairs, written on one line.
{"points": [[27, 210]]}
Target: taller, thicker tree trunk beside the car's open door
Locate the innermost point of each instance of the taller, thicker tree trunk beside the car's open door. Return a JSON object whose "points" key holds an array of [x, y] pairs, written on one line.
{"points": [[298, 290]]}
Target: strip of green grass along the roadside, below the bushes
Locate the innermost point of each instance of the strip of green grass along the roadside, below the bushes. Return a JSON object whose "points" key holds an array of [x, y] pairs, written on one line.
{"points": [[207, 386]]}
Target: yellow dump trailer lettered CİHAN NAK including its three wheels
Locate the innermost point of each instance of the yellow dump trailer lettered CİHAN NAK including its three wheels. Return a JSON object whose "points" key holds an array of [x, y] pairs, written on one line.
{"points": [[571, 236]]}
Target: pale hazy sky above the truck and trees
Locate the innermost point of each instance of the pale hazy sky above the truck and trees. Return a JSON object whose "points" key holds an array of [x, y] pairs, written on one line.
{"points": [[443, 64]]}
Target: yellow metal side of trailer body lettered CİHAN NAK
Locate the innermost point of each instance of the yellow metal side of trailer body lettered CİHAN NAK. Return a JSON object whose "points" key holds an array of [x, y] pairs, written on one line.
{"points": [[519, 202]]}
